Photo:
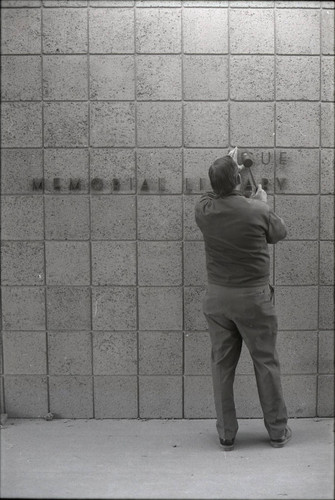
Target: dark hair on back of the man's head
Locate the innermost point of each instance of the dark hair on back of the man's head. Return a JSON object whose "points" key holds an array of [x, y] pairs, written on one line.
{"points": [[224, 175]]}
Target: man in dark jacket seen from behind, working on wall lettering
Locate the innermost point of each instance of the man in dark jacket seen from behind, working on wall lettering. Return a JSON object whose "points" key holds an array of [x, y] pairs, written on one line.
{"points": [[238, 304]]}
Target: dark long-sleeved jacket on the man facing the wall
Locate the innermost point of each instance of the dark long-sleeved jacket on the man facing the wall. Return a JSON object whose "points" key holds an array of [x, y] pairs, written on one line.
{"points": [[236, 232]]}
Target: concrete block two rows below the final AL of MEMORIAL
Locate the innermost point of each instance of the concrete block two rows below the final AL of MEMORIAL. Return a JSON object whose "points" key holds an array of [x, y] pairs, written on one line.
{"points": [[159, 263]]}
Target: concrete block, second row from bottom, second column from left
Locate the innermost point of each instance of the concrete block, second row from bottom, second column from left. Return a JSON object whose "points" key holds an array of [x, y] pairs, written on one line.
{"points": [[69, 353]]}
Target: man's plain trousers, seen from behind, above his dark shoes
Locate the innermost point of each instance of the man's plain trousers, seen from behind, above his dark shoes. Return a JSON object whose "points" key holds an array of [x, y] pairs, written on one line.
{"points": [[244, 314]]}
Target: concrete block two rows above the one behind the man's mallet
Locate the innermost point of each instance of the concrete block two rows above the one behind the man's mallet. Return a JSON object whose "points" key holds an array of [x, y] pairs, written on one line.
{"points": [[252, 78]]}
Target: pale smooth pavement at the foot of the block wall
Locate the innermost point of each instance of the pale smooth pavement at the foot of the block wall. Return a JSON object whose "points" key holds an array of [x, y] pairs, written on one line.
{"points": [[163, 459]]}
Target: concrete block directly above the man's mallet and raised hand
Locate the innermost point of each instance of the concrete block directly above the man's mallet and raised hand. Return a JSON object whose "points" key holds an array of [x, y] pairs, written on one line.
{"points": [[261, 134]]}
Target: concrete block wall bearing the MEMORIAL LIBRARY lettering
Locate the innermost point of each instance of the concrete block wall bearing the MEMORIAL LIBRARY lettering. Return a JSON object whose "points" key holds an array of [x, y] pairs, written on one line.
{"points": [[102, 281]]}
